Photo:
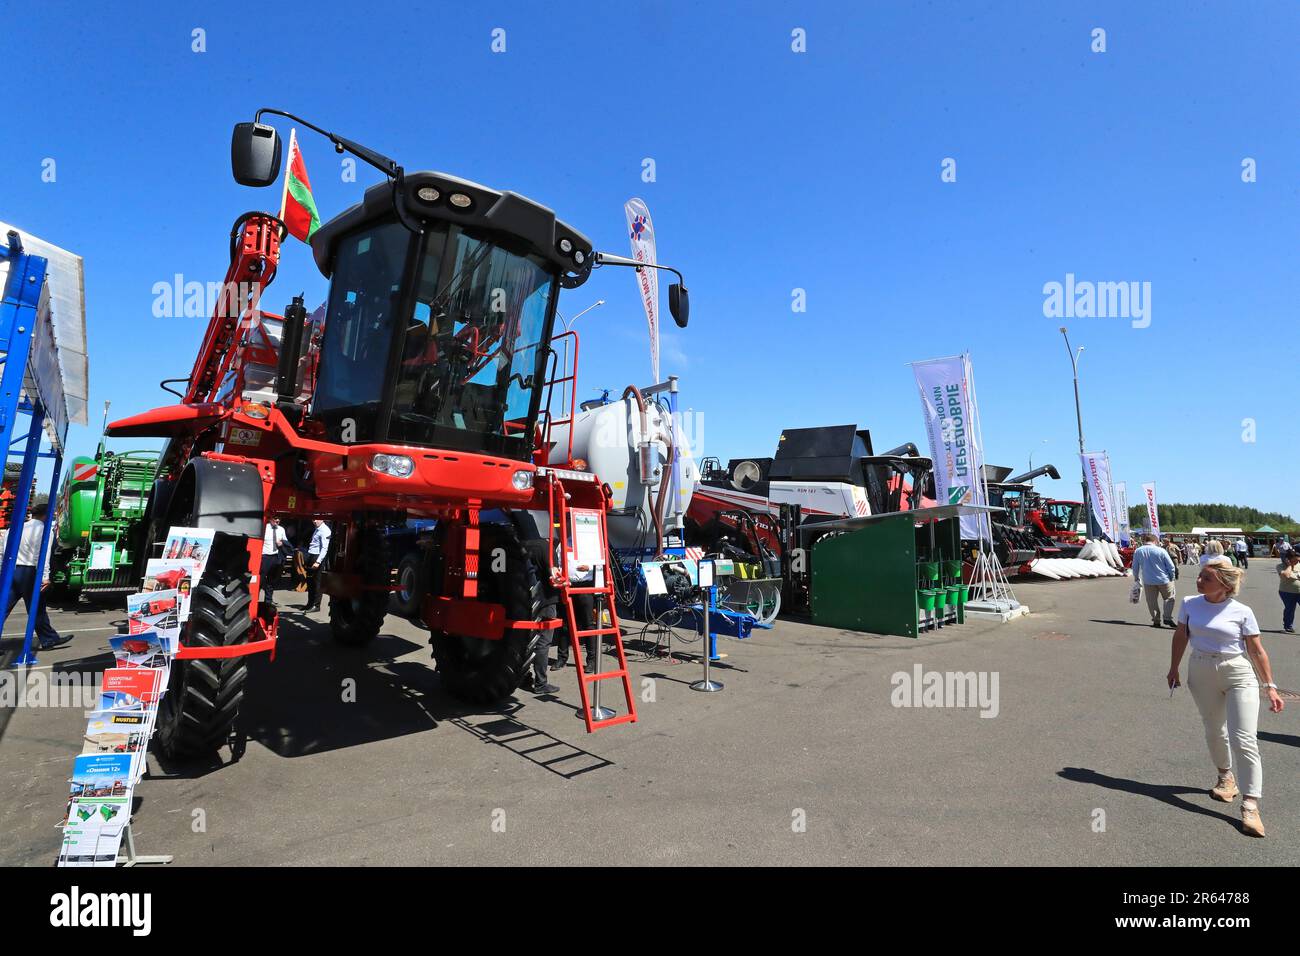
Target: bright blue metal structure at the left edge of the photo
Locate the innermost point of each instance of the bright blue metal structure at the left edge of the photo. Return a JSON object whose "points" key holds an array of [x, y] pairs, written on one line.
{"points": [[20, 314]]}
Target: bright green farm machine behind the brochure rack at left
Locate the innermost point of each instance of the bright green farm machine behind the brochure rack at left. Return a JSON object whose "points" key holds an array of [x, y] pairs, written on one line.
{"points": [[101, 520]]}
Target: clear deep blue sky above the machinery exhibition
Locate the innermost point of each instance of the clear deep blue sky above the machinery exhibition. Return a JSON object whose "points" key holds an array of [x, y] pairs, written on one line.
{"points": [[775, 171]]}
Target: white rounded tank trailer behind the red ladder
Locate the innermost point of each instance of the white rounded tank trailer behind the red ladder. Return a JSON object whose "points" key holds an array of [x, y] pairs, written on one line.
{"points": [[627, 444]]}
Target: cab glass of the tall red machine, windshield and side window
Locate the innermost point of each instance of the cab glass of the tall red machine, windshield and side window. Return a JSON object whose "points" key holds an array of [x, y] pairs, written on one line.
{"points": [[460, 348]]}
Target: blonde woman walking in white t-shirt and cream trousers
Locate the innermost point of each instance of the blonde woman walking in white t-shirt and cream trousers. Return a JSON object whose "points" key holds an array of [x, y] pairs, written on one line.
{"points": [[1225, 642]]}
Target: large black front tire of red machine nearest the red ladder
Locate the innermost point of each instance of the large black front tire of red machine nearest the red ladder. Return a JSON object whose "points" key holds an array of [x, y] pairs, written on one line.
{"points": [[482, 672]]}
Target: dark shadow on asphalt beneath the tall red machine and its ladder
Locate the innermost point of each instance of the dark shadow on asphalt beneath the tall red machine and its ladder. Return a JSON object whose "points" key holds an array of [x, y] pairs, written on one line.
{"points": [[318, 697]]}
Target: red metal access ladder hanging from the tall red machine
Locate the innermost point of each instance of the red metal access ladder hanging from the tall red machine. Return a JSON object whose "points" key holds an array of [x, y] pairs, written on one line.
{"points": [[586, 487]]}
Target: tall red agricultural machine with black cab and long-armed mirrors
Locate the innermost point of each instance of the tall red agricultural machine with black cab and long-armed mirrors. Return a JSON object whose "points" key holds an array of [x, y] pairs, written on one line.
{"points": [[423, 390]]}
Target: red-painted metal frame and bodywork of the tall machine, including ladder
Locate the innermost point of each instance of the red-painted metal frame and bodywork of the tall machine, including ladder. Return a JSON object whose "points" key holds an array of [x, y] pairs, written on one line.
{"points": [[449, 486]]}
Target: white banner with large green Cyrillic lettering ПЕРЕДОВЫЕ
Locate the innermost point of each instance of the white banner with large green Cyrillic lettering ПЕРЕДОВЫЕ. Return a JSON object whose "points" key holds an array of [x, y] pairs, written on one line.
{"points": [[947, 393]]}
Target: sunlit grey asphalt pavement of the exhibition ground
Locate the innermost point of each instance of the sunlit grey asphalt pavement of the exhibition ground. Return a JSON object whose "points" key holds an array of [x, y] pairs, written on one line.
{"points": [[356, 756]]}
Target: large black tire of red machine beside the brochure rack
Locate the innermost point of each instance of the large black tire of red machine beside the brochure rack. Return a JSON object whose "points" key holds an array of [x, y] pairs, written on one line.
{"points": [[200, 710]]}
